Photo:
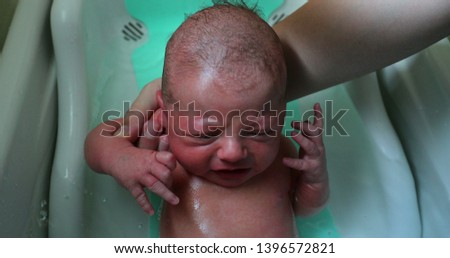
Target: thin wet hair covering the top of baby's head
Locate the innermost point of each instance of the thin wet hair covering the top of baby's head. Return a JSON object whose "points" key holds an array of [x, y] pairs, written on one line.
{"points": [[230, 37]]}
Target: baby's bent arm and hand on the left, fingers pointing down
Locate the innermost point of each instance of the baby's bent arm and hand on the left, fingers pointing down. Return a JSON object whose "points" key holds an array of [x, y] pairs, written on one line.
{"points": [[110, 149]]}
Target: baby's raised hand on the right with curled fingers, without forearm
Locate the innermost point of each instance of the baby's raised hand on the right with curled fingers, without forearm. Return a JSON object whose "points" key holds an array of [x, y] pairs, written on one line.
{"points": [[311, 161]]}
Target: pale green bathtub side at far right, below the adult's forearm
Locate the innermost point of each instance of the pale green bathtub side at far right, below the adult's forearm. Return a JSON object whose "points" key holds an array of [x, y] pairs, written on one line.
{"points": [[417, 95]]}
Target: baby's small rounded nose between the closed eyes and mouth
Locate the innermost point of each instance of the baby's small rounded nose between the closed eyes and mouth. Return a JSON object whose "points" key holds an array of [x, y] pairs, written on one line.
{"points": [[232, 150]]}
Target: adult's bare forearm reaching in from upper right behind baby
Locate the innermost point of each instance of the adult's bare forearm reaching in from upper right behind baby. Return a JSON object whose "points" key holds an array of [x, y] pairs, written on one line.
{"points": [[330, 41]]}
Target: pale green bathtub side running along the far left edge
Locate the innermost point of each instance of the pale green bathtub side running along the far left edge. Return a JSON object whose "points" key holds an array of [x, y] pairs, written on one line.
{"points": [[28, 111]]}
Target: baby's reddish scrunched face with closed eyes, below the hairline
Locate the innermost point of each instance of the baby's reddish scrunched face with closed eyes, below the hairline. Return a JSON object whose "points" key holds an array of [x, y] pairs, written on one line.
{"points": [[225, 138]]}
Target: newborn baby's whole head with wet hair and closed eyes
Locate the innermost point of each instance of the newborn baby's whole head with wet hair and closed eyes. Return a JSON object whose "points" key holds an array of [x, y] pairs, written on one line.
{"points": [[223, 87]]}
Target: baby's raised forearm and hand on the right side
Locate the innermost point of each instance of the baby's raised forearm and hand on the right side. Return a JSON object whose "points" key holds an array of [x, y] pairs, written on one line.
{"points": [[311, 188]]}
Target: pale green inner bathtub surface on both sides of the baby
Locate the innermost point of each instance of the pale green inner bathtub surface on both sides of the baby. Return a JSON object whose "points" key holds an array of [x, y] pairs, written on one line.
{"points": [[101, 66]]}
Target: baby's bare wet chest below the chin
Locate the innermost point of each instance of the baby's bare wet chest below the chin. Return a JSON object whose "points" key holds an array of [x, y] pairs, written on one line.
{"points": [[209, 211]]}
